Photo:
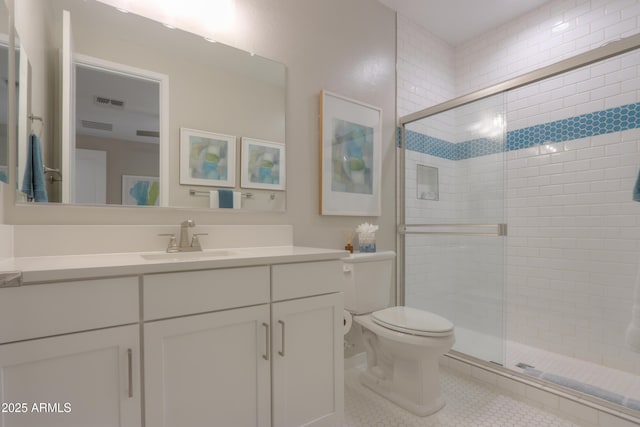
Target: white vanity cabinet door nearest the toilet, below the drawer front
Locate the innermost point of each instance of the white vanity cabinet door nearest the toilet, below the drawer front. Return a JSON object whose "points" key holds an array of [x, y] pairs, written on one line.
{"points": [[308, 373]]}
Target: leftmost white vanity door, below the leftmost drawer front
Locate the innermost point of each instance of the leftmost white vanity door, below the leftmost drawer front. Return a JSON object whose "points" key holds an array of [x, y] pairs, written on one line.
{"points": [[84, 379]]}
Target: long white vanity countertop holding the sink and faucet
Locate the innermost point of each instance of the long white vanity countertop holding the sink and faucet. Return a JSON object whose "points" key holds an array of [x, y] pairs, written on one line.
{"points": [[68, 267]]}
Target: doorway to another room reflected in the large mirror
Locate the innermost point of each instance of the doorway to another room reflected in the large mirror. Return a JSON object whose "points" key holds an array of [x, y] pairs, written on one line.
{"points": [[117, 137]]}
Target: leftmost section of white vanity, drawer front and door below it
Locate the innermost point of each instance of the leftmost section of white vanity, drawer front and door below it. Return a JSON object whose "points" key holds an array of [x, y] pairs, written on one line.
{"points": [[53, 375]]}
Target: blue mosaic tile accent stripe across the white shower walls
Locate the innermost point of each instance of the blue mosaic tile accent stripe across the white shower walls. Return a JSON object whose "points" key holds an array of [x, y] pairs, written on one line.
{"points": [[597, 123]]}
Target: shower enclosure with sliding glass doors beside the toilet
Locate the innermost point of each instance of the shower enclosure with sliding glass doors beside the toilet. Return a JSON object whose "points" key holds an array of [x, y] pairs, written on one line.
{"points": [[517, 221]]}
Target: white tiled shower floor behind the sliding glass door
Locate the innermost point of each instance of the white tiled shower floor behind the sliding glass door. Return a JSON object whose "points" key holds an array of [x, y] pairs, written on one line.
{"points": [[490, 348]]}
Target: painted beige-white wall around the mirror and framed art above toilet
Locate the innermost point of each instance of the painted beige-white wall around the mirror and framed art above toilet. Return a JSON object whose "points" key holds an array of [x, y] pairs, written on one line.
{"points": [[351, 53]]}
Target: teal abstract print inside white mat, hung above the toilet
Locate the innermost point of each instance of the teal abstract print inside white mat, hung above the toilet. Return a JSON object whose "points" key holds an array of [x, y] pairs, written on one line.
{"points": [[351, 157]]}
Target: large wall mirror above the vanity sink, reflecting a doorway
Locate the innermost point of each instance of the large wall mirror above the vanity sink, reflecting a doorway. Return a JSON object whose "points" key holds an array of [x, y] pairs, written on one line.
{"points": [[115, 89]]}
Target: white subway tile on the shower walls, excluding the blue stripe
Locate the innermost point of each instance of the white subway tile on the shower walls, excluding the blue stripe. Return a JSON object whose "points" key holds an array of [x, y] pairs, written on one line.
{"points": [[573, 247]]}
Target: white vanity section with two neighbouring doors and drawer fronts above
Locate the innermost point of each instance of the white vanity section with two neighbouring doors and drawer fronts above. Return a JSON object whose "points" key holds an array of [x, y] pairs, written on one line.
{"points": [[226, 347]]}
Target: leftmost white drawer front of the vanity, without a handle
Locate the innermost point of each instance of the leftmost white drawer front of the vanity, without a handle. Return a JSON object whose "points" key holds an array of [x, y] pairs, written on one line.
{"points": [[35, 311]]}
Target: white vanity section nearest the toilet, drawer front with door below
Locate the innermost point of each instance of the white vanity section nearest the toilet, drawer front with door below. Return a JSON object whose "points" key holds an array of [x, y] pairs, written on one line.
{"points": [[308, 364]]}
